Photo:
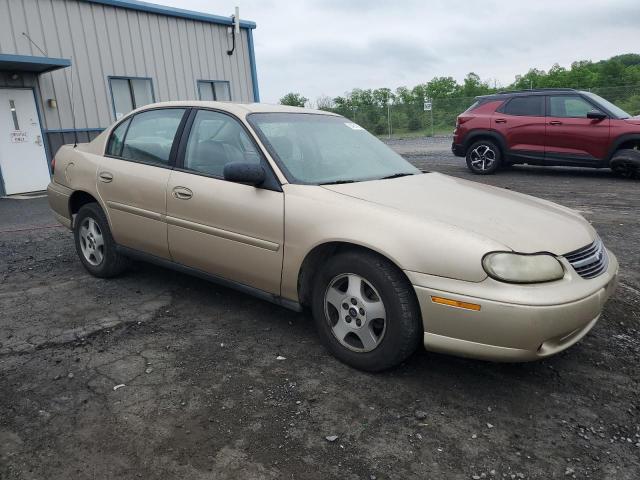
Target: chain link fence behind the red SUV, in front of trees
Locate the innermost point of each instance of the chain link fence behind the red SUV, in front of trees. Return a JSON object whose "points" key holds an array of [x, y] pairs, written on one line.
{"points": [[411, 120]]}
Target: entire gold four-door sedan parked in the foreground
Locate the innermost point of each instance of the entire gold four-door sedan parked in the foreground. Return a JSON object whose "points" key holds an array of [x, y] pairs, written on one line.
{"points": [[306, 209]]}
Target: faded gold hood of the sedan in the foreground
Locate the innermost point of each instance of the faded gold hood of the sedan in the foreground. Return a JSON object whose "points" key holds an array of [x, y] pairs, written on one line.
{"points": [[519, 222]]}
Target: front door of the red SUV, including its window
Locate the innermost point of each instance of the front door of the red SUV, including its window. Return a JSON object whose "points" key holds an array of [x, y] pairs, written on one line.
{"points": [[570, 134]]}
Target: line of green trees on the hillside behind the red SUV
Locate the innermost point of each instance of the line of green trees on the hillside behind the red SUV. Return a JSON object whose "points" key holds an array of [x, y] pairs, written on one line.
{"points": [[617, 79]]}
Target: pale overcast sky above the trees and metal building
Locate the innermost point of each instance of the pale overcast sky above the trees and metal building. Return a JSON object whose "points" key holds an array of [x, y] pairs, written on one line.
{"points": [[328, 47]]}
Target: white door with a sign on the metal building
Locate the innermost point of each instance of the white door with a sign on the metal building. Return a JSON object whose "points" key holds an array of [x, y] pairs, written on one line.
{"points": [[23, 161]]}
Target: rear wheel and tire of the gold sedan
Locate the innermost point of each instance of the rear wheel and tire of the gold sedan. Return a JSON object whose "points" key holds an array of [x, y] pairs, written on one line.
{"points": [[94, 243]]}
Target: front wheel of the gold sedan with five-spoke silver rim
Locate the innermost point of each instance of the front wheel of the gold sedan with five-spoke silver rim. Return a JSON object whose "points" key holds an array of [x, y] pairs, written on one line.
{"points": [[393, 339]]}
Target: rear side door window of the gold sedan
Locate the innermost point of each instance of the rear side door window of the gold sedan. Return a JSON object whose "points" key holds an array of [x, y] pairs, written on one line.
{"points": [[151, 135]]}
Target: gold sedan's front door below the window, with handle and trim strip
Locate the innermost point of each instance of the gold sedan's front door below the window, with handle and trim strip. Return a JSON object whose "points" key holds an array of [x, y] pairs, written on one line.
{"points": [[227, 229]]}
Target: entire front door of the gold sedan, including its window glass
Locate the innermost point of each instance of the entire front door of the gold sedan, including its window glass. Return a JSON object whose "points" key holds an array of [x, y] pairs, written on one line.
{"points": [[227, 229]]}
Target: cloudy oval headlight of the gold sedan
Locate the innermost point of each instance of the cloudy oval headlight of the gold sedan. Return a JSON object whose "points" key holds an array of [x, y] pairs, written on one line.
{"points": [[522, 268]]}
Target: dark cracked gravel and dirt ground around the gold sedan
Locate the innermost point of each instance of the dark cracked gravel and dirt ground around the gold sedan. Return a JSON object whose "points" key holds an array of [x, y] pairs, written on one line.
{"points": [[206, 397]]}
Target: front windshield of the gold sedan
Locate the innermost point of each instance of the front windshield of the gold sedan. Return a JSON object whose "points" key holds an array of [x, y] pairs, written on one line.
{"points": [[322, 149]]}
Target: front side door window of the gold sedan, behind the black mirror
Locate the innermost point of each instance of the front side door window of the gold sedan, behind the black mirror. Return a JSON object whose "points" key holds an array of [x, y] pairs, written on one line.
{"points": [[215, 140]]}
